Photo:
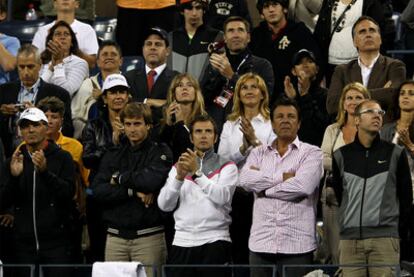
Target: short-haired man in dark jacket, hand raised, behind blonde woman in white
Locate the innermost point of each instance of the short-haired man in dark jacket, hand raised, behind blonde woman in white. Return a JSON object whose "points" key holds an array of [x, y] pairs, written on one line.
{"points": [[228, 64]]}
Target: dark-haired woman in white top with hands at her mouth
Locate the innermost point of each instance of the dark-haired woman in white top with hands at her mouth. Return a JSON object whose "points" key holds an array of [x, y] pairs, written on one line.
{"points": [[61, 66]]}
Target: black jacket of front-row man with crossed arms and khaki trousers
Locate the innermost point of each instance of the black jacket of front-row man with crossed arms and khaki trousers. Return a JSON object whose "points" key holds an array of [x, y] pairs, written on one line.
{"points": [[143, 169]]}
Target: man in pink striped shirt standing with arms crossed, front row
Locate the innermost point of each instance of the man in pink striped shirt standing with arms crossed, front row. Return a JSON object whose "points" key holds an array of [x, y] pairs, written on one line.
{"points": [[284, 177]]}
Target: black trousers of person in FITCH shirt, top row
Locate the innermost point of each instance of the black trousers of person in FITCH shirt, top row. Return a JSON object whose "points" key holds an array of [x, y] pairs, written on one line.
{"points": [[132, 25]]}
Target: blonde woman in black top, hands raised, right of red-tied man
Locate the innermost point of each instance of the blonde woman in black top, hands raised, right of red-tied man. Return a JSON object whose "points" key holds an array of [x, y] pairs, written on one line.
{"points": [[184, 103]]}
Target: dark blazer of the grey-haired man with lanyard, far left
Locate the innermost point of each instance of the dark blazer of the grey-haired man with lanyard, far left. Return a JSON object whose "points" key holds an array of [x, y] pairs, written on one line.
{"points": [[9, 95]]}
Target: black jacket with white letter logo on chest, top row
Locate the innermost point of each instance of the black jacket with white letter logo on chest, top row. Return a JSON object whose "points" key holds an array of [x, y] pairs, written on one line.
{"points": [[279, 52]]}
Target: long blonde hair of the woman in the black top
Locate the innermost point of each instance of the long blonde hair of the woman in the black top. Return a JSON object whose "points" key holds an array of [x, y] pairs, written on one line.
{"points": [[198, 104]]}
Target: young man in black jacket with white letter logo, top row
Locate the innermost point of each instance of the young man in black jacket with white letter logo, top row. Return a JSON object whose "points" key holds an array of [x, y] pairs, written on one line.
{"points": [[278, 39]]}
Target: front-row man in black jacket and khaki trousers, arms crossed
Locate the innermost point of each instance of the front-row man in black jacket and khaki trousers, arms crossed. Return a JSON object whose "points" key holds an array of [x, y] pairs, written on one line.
{"points": [[129, 178]]}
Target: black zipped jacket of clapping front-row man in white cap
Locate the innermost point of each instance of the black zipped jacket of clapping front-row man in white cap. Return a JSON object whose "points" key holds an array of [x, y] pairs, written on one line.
{"points": [[54, 191]]}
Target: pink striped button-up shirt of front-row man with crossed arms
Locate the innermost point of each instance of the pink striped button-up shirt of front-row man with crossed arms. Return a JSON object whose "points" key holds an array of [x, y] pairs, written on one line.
{"points": [[284, 219]]}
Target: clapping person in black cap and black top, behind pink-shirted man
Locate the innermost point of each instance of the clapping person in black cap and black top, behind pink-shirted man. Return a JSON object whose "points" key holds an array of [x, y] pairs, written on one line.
{"points": [[310, 96]]}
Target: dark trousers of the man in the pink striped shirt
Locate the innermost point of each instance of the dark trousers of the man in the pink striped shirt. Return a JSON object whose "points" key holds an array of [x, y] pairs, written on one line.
{"points": [[279, 260]]}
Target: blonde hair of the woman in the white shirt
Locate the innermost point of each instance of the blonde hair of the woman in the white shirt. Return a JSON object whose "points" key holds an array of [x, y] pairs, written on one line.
{"points": [[238, 108]]}
